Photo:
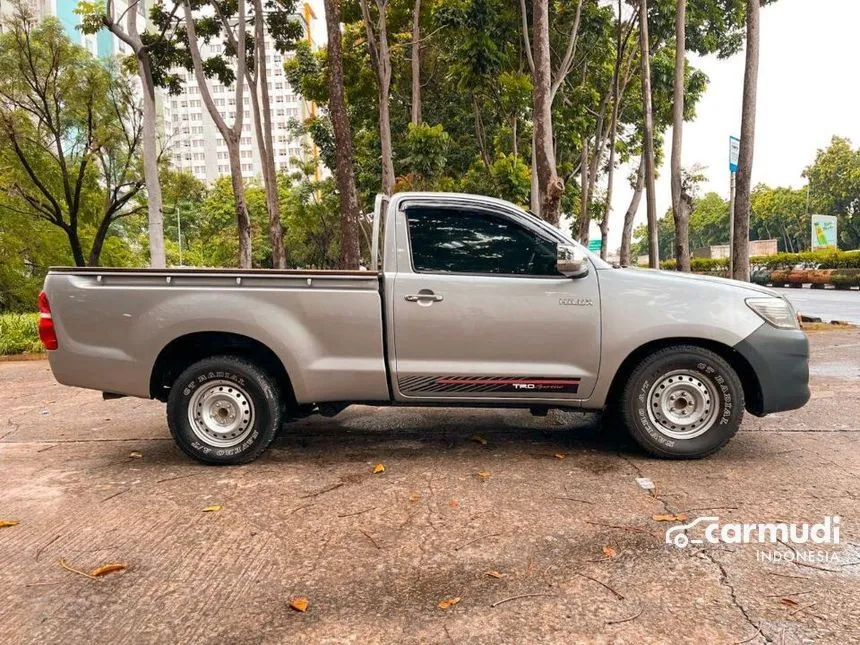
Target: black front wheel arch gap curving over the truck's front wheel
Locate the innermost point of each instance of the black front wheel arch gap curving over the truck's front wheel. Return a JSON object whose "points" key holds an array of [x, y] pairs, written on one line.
{"points": [[745, 371]]}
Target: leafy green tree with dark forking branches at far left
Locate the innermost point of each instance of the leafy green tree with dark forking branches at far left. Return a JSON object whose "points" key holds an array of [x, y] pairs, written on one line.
{"points": [[69, 137]]}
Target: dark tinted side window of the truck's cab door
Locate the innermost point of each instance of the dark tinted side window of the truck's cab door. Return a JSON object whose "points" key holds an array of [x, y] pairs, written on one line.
{"points": [[454, 240]]}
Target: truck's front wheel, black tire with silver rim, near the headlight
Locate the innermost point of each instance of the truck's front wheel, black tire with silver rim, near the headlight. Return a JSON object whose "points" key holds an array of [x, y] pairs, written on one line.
{"points": [[697, 374]]}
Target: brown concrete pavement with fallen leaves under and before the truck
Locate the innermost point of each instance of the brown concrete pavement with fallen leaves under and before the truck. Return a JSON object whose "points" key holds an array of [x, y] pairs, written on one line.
{"points": [[375, 554]]}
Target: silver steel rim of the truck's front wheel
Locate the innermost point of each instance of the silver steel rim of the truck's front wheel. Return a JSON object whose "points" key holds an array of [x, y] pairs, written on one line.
{"points": [[683, 404]]}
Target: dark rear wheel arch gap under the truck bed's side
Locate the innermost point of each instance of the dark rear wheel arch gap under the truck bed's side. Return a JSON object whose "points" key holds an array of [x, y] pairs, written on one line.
{"points": [[190, 348]]}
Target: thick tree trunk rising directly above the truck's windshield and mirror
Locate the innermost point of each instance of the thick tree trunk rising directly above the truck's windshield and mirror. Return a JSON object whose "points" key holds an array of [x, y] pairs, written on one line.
{"points": [[550, 185]]}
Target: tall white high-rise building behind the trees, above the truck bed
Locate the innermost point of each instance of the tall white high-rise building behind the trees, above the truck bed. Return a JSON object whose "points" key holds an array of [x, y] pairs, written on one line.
{"points": [[194, 141]]}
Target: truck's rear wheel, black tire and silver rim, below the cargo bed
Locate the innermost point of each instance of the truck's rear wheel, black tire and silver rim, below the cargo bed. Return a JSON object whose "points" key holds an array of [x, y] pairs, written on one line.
{"points": [[251, 409]]}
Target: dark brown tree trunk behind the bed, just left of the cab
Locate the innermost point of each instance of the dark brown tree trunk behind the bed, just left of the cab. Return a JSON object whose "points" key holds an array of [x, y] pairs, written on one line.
{"points": [[344, 171]]}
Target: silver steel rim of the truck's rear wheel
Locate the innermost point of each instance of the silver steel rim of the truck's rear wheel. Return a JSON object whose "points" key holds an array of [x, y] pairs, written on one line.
{"points": [[221, 414]]}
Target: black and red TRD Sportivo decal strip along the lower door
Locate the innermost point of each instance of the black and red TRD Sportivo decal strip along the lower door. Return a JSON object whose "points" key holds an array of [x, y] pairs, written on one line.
{"points": [[483, 384]]}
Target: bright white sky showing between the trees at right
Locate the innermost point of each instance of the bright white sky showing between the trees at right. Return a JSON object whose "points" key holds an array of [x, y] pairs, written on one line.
{"points": [[809, 91]]}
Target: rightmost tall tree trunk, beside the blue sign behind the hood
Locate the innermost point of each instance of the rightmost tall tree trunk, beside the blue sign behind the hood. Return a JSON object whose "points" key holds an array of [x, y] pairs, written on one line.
{"points": [[741, 256]]}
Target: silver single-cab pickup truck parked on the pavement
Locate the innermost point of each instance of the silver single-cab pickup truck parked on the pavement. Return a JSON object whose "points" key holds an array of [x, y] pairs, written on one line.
{"points": [[477, 303]]}
